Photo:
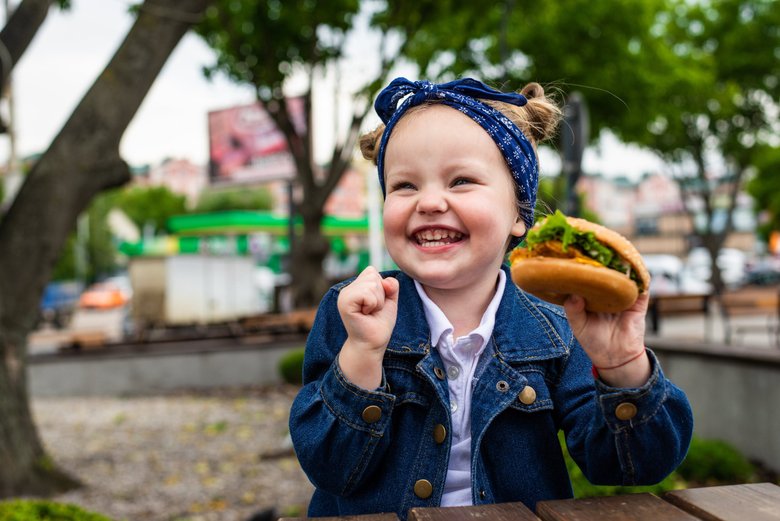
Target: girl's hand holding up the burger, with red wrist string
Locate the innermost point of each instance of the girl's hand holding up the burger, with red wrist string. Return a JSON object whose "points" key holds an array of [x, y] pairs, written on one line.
{"points": [[614, 342]]}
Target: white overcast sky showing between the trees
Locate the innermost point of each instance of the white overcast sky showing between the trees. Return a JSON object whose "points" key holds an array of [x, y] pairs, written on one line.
{"points": [[73, 47]]}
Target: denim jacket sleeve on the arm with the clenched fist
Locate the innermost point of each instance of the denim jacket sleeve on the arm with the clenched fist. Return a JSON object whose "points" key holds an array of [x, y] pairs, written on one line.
{"points": [[339, 431]]}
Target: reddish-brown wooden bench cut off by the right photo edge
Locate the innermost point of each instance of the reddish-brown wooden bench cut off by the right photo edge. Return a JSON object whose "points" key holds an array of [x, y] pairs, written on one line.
{"points": [[761, 303]]}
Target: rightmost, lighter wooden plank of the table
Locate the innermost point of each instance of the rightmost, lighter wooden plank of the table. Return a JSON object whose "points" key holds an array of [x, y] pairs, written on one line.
{"points": [[751, 502]]}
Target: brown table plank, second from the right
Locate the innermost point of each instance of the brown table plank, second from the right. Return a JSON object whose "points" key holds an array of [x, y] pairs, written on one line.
{"points": [[631, 507]]}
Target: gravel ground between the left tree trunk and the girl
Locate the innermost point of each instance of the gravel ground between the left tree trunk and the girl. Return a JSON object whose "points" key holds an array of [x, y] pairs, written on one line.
{"points": [[220, 455]]}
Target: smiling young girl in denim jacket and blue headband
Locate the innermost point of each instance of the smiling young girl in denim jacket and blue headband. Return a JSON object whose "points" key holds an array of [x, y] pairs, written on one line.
{"points": [[445, 384]]}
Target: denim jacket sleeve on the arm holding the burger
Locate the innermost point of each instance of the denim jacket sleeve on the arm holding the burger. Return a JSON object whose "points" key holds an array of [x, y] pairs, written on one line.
{"points": [[623, 436]]}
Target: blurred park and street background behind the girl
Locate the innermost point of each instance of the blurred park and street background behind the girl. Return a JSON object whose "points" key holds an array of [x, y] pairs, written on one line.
{"points": [[181, 184]]}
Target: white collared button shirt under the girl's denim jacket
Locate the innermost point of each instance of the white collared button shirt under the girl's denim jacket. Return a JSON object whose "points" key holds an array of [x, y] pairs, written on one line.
{"points": [[460, 356]]}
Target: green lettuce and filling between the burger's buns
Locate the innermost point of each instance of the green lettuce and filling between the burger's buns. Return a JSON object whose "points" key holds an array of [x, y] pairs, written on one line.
{"points": [[557, 238]]}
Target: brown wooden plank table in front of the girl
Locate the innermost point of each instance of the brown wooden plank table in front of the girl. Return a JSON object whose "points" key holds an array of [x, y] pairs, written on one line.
{"points": [[751, 502]]}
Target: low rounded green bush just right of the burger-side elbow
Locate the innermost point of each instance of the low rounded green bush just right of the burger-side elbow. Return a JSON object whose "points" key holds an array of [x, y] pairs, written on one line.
{"points": [[715, 462]]}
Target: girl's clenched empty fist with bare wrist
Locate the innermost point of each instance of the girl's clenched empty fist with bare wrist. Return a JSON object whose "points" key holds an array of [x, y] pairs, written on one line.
{"points": [[368, 308]]}
